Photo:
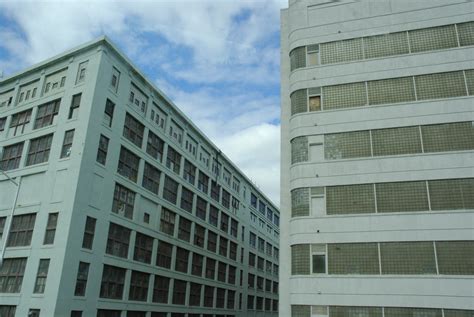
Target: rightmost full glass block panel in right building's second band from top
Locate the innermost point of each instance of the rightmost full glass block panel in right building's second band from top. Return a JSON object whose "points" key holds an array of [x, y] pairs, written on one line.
{"points": [[440, 85]]}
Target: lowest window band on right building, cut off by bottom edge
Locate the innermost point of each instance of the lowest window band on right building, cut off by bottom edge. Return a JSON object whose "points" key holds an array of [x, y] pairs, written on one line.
{"points": [[361, 311]]}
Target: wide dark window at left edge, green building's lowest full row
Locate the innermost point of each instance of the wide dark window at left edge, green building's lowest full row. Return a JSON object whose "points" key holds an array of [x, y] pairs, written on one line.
{"points": [[11, 275]]}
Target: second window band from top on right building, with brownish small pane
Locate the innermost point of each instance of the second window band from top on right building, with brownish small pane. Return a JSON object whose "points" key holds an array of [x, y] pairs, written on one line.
{"points": [[384, 91]]}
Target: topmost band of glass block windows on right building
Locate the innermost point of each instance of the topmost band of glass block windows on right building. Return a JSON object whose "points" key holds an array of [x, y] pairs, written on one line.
{"points": [[383, 45]]}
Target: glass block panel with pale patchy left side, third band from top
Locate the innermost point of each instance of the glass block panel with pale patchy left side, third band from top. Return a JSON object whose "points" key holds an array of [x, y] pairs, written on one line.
{"points": [[347, 145]]}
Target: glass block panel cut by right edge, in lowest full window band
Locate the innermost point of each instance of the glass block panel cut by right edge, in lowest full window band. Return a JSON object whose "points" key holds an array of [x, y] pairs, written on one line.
{"points": [[455, 257]]}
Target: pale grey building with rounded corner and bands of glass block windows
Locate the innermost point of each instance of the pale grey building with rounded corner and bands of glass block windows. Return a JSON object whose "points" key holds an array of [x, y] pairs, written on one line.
{"points": [[377, 158]]}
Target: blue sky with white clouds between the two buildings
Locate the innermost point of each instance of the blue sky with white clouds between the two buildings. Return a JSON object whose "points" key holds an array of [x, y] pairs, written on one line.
{"points": [[218, 60]]}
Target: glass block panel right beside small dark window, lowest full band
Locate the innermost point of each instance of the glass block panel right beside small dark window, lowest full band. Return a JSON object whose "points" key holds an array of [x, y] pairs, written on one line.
{"points": [[353, 258]]}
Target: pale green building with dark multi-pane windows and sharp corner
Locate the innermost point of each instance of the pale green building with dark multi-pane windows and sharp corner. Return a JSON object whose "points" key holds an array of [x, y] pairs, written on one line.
{"points": [[124, 207]]}
